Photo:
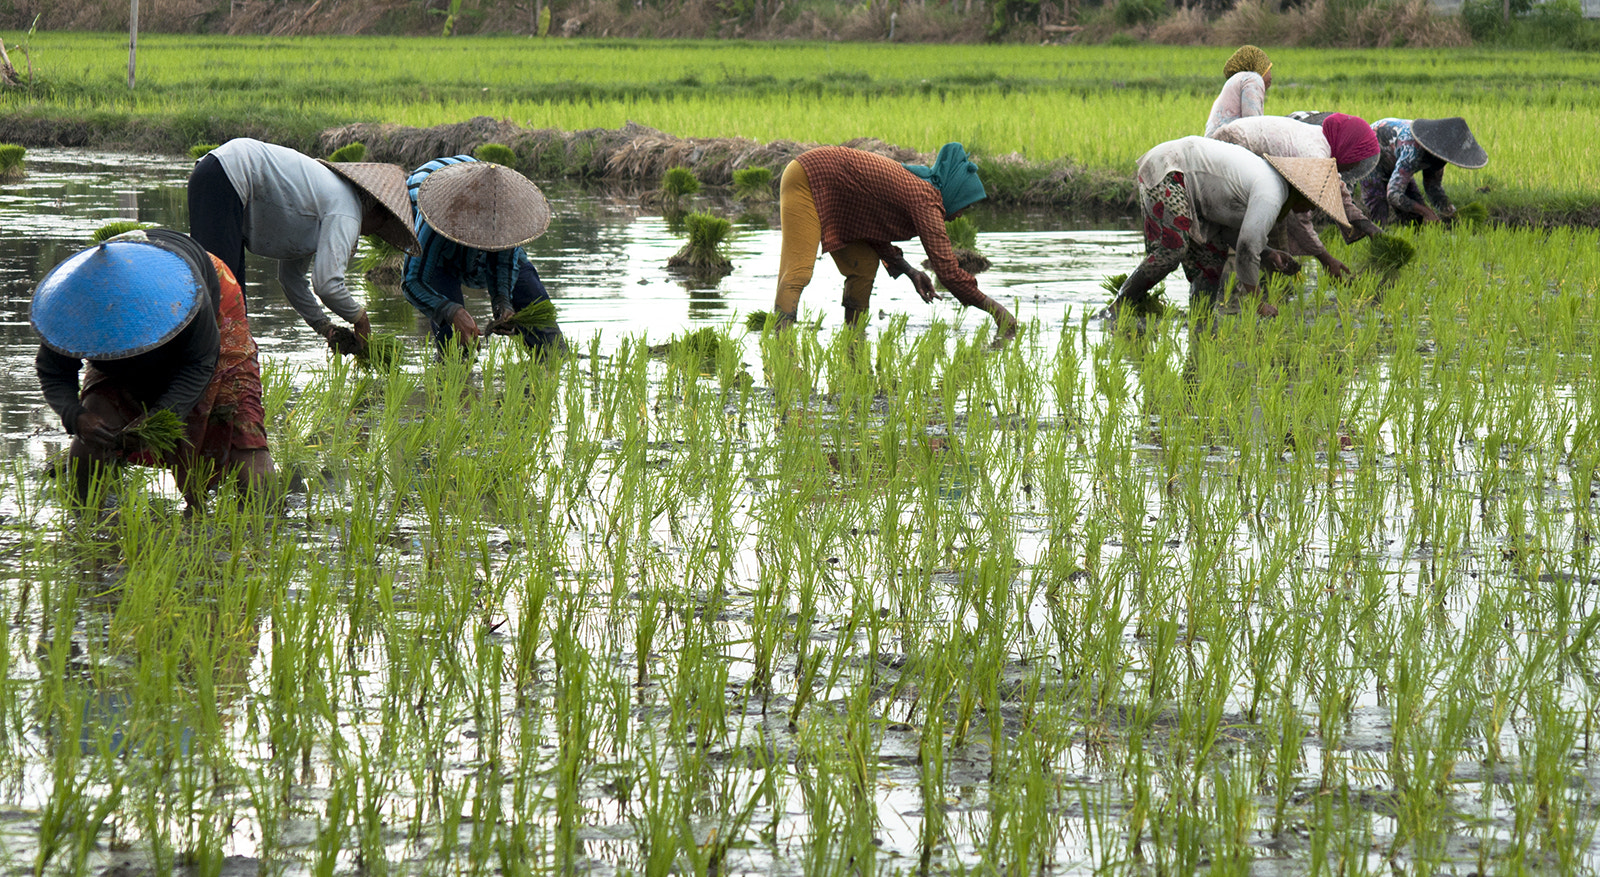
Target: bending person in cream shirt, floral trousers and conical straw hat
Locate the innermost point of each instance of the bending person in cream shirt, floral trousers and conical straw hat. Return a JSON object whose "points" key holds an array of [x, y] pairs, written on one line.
{"points": [[1202, 196]]}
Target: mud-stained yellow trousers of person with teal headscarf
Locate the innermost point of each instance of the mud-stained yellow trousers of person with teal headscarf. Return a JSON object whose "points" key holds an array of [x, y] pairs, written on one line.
{"points": [[802, 238]]}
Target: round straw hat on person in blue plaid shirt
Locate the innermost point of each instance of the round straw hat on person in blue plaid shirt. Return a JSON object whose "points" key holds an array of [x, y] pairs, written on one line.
{"points": [[484, 206]]}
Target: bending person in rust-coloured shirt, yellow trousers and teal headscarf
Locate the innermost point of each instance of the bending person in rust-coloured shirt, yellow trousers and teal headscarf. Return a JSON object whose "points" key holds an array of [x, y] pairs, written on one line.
{"points": [[855, 204]]}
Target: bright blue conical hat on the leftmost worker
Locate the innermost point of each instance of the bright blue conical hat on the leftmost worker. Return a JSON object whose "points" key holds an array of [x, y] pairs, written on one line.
{"points": [[116, 300]]}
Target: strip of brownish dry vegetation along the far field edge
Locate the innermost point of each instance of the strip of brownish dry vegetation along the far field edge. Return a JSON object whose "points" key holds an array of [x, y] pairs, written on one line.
{"points": [[1313, 23]]}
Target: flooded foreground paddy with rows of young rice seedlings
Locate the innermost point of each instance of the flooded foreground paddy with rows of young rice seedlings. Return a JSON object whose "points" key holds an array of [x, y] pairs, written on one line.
{"points": [[1311, 596]]}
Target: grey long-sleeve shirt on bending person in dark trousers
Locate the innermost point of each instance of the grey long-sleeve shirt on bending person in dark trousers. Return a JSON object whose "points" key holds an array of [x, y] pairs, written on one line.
{"points": [[305, 217]]}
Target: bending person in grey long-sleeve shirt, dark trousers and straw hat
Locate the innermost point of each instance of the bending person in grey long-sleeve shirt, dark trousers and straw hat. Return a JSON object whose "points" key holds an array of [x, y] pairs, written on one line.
{"points": [[302, 212]]}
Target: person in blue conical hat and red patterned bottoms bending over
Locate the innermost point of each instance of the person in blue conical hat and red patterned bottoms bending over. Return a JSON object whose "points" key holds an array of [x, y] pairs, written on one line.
{"points": [[162, 326]]}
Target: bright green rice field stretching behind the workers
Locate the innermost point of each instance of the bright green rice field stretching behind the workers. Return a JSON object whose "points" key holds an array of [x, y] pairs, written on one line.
{"points": [[1076, 118]]}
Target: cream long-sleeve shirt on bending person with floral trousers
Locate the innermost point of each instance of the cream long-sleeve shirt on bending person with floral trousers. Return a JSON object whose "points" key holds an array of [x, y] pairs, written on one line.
{"points": [[1236, 196]]}
